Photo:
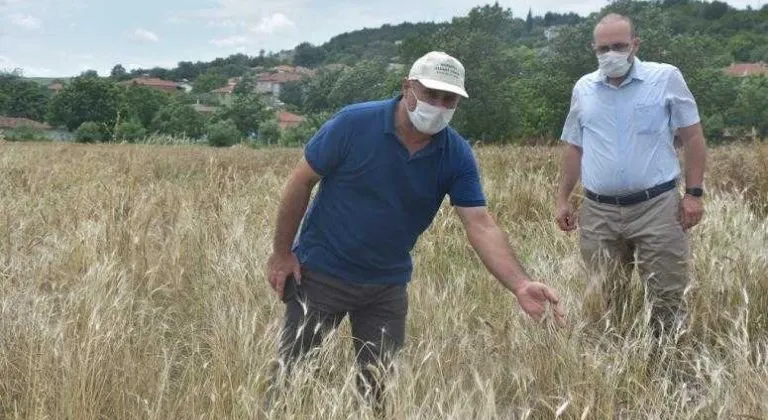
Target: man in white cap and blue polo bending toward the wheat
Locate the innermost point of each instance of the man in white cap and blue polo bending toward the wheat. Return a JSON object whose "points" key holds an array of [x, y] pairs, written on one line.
{"points": [[384, 168]]}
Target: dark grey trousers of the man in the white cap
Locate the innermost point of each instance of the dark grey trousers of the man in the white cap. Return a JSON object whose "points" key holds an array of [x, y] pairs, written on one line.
{"points": [[377, 314]]}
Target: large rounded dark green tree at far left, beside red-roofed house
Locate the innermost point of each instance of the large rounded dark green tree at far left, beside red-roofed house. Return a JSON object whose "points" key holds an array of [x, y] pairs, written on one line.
{"points": [[85, 98]]}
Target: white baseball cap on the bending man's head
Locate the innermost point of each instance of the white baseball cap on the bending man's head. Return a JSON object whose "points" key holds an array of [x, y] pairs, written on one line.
{"points": [[438, 70]]}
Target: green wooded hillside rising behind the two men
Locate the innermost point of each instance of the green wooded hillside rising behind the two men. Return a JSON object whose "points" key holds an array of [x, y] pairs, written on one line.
{"points": [[520, 70]]}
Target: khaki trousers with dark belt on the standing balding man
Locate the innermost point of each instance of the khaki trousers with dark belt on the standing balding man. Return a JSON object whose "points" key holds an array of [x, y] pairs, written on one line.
{"points": [[649, 235]]}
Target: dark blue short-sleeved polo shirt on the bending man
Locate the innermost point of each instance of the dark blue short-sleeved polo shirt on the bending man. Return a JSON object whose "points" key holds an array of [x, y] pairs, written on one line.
{"points": [[374, 199]]}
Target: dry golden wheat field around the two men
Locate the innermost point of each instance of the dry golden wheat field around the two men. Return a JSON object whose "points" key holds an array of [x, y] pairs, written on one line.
{"points": [[132, 287]]}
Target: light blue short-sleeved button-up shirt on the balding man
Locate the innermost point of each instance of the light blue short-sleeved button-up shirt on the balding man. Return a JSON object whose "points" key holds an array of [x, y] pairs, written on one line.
{"points": [[627, 132]]}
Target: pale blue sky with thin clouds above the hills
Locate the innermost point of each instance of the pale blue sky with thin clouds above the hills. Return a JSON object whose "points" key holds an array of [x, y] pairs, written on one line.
{"points": [[59, 38]]}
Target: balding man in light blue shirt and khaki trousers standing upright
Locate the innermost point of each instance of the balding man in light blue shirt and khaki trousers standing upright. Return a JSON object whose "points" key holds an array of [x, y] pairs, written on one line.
{"points": [[619, 136]]}
